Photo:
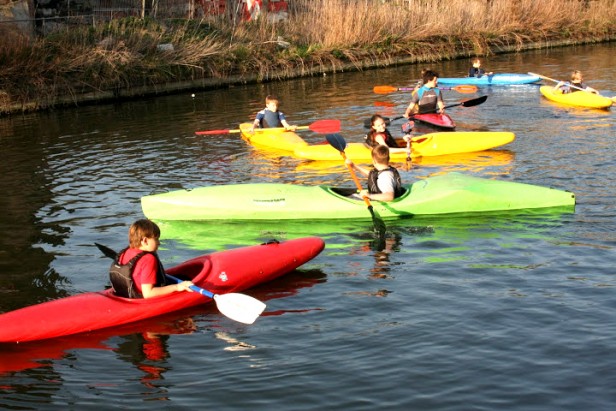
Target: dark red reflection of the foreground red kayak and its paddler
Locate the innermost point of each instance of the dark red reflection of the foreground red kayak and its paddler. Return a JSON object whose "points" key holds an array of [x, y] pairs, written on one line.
{"points": [[145, 344]]}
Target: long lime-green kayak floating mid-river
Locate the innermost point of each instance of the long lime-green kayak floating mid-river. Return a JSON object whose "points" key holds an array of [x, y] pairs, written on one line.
{"points": [[446, 194]]}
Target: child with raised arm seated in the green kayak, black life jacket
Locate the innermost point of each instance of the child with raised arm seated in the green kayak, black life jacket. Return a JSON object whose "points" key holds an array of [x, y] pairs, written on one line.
{"points": [[384, 182]]}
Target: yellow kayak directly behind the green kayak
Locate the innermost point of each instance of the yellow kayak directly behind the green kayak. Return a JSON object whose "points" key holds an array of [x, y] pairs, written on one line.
{"points": [[427, 145]]}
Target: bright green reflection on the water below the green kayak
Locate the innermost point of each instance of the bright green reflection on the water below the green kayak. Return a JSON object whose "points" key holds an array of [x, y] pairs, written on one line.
{"points": [[345, 234]]}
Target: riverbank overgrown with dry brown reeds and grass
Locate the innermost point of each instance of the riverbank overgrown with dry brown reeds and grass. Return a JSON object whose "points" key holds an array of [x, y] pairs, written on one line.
{"points": [[133, 58]]}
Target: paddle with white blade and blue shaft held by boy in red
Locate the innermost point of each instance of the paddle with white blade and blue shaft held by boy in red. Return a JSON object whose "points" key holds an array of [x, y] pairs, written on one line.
{"points": [[239, 307]]}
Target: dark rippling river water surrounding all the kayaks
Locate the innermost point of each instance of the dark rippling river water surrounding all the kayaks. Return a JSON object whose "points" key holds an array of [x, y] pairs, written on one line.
{"points": [[454, 299]]}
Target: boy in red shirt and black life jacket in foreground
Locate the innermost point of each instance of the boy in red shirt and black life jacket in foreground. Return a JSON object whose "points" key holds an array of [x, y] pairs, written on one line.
{"points": [[137, 271]]}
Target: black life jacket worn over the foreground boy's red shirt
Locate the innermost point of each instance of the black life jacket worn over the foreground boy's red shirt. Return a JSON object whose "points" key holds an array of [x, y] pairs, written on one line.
{"points": [[121, 275]]}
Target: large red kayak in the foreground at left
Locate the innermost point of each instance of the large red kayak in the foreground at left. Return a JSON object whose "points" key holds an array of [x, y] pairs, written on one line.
{"points": [[220, 273]]}
